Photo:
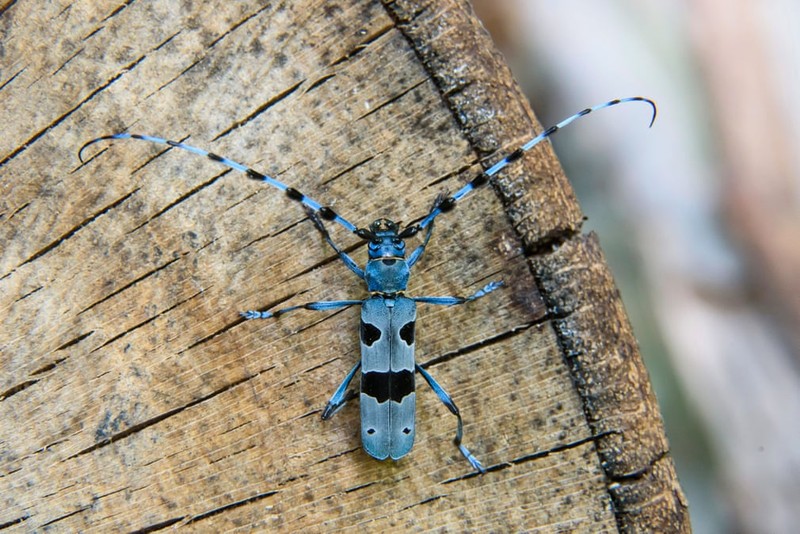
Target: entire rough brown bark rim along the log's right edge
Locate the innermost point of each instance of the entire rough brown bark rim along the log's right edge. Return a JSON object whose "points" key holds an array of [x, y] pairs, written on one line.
{"points": [[597, 341]]}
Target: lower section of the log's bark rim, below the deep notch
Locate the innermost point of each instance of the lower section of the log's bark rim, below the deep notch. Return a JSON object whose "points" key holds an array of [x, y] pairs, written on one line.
{"points": [[608, 371]]}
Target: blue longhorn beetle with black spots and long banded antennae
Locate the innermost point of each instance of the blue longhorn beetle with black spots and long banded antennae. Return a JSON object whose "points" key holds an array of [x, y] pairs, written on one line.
{"points": [[388, 316]]}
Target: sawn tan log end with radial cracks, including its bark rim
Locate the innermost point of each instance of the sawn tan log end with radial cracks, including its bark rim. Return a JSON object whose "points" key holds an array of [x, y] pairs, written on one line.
{"points": [[132, 394]]}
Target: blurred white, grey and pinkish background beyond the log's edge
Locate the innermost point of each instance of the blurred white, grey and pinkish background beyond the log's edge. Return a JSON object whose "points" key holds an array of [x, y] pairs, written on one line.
{"points": [[698, 217]]}
